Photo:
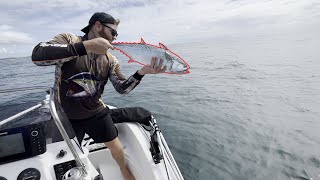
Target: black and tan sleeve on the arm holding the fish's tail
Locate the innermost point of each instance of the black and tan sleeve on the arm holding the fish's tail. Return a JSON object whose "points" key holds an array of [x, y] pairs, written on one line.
{"points": [[60, 49]]}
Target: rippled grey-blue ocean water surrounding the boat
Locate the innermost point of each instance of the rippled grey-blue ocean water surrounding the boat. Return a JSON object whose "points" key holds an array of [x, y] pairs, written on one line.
{"points": [[249, 109]]}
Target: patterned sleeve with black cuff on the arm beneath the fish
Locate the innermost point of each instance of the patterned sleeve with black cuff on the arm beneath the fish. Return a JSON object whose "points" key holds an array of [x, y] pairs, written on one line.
{"points": [[118, 80]]}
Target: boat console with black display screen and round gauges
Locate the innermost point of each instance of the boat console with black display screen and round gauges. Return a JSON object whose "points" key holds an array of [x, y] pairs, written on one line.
{"points": [[32, 148]]}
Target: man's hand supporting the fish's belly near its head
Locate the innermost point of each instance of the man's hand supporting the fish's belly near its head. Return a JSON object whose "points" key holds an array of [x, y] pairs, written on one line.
{"points": [[153, 68]]}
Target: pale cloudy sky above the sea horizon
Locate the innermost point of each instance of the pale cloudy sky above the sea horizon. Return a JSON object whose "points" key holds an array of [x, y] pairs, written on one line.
{"points": [[25, 23]]}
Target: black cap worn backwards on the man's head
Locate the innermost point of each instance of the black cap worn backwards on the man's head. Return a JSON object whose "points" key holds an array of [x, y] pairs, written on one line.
{"points": [[101, 17]]}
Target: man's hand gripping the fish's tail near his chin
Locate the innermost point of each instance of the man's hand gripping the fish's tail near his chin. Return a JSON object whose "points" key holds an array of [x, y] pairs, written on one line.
{"points": [[97, 45]]}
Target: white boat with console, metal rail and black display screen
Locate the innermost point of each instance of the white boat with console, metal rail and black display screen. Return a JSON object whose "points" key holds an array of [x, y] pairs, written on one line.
{"points": [[40, 144]]}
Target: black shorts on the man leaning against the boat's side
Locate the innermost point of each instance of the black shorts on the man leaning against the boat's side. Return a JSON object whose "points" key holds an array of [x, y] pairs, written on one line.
{"points": [[101, 127]]}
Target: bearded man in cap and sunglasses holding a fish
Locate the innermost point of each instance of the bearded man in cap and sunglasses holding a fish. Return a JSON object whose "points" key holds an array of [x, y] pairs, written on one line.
{"points": [[83, 67]]}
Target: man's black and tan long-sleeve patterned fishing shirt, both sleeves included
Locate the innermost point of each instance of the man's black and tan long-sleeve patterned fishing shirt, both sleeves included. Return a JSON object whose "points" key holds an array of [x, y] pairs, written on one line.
{"points": [[80, 77]]}
